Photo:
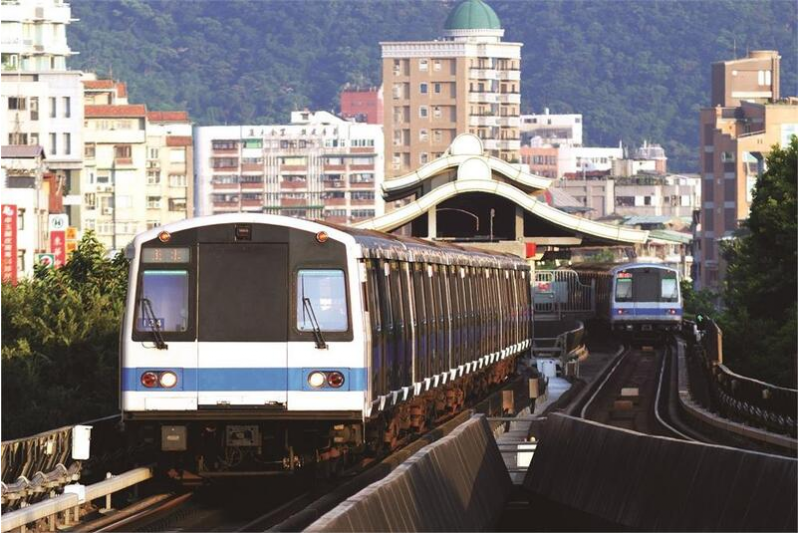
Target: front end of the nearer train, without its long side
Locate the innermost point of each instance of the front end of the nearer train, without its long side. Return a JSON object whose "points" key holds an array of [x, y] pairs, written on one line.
{"points": [[243, 343]]}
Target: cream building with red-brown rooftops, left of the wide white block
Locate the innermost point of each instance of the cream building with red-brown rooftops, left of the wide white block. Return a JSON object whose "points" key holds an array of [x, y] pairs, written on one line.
{"points": [[138, 165]]}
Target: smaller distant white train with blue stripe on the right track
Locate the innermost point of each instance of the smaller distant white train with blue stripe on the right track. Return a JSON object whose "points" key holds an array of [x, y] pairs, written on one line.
{"points": [[635, 297]]}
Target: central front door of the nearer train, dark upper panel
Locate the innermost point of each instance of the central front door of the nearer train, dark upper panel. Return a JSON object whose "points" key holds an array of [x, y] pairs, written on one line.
{"points": [[242, 324]]}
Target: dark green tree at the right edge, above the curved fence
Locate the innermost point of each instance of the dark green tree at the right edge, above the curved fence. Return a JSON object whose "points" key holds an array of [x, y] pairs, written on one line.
{"points": [[760, 293]]}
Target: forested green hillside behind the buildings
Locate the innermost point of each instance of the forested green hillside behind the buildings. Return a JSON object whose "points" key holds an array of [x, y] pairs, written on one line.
{"points": [[636, 70]]}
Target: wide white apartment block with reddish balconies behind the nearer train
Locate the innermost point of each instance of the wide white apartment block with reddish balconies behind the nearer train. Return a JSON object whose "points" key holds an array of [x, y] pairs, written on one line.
{"points": [[317, 166]]}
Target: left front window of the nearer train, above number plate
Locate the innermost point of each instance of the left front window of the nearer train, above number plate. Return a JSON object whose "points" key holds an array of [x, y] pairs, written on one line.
{"points": [[164, 301]]}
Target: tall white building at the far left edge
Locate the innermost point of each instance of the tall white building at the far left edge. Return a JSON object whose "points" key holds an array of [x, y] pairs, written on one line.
{"points": [[41, 99]]}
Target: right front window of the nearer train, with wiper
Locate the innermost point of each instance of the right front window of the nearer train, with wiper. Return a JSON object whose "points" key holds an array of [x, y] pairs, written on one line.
{"points": [[321, 295]]}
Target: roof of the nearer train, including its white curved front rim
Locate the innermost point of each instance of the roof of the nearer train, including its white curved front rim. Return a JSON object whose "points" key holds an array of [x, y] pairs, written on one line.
{"points": [[373, 244]]}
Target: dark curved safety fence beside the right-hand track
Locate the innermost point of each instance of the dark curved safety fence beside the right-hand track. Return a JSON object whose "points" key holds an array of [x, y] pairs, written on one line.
{"points": [[737, 397]]}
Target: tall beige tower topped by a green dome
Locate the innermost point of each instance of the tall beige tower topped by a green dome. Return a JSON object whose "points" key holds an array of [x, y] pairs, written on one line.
{"points": [[467, 81]]}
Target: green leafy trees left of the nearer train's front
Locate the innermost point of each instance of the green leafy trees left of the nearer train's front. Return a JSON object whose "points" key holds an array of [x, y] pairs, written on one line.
{"points": [[60, 336]]}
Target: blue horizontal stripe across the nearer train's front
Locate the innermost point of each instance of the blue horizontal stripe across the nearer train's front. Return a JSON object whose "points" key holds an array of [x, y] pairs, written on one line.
{"points": [[244, 379]]}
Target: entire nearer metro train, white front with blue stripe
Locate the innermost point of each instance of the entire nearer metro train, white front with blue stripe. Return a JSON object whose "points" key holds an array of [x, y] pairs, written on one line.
{"points": [[256, 342]]}
